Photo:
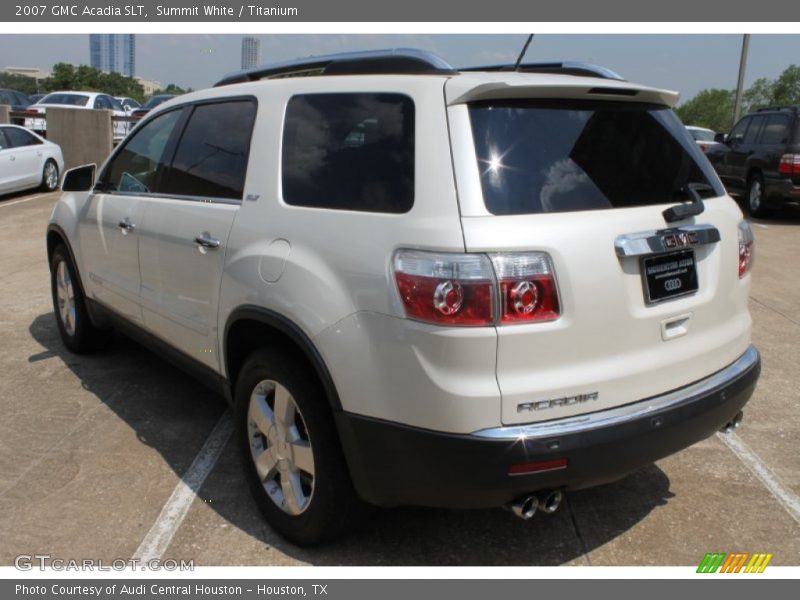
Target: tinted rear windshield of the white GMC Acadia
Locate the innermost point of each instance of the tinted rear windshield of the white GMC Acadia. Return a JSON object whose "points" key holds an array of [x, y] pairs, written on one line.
{"points": [[558, 156]]}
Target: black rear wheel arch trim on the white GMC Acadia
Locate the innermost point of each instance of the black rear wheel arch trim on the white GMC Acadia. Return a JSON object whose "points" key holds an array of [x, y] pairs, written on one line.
{"points": [[251, 327]]}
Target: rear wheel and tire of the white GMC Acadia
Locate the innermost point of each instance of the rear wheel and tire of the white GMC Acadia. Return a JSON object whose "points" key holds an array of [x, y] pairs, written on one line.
{"points": [[301, 483]]}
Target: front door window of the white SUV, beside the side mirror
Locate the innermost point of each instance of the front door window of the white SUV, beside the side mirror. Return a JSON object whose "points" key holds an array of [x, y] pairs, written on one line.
{"points": [[136, 166]]}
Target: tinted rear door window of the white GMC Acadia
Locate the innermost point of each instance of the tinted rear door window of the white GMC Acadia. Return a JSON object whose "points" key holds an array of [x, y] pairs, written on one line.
{"points": [[211, 158]]}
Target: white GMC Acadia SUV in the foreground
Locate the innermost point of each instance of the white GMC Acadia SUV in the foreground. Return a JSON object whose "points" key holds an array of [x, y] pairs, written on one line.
{"points": [[418, 285]]}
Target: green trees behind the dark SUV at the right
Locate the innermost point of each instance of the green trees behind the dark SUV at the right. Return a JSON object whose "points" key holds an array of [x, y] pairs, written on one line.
{"points": [[714, 108]]}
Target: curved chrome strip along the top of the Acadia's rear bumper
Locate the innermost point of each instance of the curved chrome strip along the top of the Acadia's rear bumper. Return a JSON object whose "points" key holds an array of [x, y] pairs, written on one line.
{"points": [[623, 414]]}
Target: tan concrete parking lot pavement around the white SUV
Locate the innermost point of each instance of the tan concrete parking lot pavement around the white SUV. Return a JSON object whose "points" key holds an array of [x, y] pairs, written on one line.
{"points": [[93, 447]]}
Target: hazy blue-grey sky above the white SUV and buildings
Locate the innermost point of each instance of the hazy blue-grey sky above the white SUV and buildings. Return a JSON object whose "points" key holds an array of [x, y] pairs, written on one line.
{"points": [[685, 63]]}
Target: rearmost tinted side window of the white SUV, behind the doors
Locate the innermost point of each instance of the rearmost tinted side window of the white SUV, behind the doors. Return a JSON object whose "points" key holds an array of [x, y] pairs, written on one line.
{"points": [[349, 152]]}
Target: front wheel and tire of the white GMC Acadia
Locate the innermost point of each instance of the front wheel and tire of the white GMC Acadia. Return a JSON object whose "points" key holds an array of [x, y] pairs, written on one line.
{"points": [[69, 305]]}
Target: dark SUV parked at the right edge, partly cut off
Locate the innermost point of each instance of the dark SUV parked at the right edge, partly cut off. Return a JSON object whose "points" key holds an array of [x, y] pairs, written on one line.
{"points": [[761, 157]]}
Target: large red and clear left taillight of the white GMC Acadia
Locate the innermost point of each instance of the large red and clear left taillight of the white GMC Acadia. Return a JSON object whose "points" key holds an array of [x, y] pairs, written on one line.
{"points": [[476, 289]]}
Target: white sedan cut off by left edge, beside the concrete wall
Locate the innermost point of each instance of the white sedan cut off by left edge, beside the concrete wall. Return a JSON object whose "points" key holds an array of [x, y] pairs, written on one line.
{"points": [[27, 161]]}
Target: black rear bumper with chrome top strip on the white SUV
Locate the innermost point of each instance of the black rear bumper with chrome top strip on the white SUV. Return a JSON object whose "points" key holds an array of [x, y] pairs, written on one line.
{"points": [[393, 464]]}
